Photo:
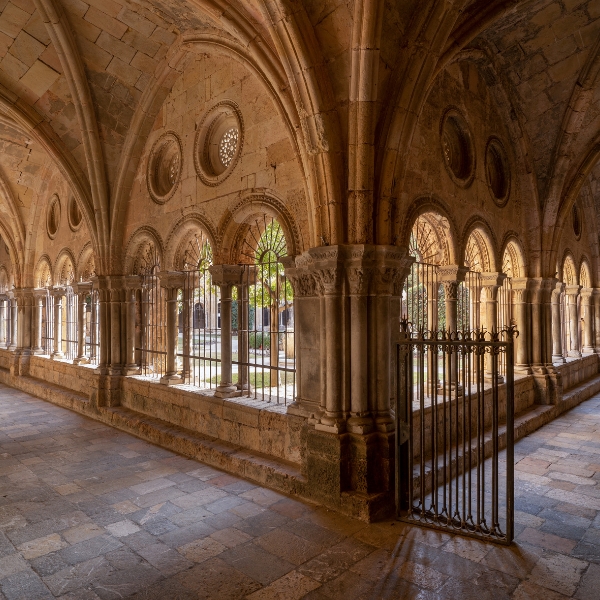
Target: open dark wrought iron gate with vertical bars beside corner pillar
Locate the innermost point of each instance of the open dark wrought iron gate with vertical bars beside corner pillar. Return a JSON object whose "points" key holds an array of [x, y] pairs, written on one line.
{"points": [[455, 412]]}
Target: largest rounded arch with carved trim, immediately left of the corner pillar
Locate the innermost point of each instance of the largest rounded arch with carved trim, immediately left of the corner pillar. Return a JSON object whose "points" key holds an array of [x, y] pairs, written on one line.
{"points": [[236, 224]]}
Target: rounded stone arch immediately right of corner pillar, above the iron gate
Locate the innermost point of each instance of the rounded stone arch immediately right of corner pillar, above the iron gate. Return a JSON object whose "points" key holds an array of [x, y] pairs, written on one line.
{"points": [[430, 212]]}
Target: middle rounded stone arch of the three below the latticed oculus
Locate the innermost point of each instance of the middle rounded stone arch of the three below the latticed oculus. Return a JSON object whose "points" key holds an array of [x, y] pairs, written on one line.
{"points": [[191, 229]]}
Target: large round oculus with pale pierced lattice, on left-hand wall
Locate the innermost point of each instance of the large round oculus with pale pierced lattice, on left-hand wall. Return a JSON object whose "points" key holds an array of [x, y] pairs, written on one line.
{"points": [[218, 144]]}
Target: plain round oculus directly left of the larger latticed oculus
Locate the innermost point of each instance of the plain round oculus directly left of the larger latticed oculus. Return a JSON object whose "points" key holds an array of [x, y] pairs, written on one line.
{"points": [[164, 167]]}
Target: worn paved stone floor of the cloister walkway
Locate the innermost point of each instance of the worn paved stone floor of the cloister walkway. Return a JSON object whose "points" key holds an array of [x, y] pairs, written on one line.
{"points": [[89, 512]]}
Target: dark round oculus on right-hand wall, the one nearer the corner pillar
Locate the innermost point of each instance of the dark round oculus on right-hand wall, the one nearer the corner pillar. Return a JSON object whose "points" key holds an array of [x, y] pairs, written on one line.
{"points": [[457, 148]]}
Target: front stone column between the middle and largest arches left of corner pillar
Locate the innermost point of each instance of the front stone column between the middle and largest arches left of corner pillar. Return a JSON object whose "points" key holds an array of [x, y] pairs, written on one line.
{"points": [[226, 276]]}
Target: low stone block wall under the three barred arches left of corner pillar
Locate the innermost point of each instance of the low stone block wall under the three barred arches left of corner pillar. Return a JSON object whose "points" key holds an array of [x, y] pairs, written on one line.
{"points": [[255, 425]]}
